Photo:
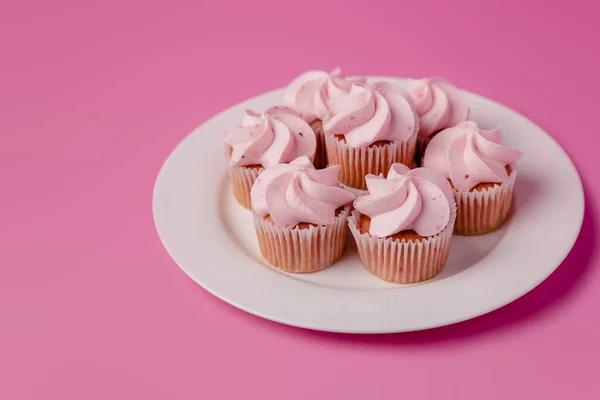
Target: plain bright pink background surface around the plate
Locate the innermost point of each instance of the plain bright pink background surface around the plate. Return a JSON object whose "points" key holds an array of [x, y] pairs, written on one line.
{"points": [[93, 97]]}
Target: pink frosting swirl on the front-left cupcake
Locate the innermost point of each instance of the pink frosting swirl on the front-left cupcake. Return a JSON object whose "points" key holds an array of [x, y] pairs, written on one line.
{"points": [[297, 192]]}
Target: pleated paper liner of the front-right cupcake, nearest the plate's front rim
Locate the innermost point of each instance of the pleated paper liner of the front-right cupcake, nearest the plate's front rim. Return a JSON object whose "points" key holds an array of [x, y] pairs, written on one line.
{"points": [[403, 261]]}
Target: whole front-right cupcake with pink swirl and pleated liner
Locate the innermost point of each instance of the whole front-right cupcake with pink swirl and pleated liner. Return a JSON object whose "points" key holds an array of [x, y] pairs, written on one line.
{"points": [[403, 226]]}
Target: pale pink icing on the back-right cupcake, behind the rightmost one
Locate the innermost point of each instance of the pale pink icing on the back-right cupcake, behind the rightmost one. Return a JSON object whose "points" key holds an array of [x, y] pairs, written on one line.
{"points": [[439, 103]]}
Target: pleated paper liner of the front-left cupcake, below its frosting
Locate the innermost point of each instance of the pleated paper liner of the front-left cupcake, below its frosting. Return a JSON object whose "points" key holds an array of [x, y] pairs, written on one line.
{"points": [[302, 250]]}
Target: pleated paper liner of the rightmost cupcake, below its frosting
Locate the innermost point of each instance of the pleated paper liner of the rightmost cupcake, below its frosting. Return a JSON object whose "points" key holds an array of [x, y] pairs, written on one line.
{"points": [[483, 211]]}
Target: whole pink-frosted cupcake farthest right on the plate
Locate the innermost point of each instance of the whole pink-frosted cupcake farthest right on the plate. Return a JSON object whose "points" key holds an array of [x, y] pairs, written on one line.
{"points": [[481, 171]]}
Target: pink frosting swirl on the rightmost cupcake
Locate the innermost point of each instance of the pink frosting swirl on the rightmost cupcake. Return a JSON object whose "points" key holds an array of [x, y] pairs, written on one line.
{"points": [[469, 156]]}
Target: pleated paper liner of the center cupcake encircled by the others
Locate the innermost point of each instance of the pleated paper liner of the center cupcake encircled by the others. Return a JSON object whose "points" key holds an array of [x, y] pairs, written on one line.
{"points": [[356, 163]]}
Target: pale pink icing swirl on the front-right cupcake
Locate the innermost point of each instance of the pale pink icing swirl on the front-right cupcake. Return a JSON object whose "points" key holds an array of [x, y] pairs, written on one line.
{"points": [[420, 199]]}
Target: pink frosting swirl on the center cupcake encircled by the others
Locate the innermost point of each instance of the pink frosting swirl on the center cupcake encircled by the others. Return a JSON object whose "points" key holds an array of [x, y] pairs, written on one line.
{"points": [[370, 113]]}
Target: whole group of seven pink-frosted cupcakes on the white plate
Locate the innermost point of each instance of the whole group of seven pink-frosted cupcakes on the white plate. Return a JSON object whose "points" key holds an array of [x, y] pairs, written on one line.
{"points": [[402, 169]]}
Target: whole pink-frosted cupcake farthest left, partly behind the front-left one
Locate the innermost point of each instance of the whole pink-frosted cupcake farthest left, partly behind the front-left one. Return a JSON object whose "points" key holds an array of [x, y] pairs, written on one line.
{"points": [[277, 136]]}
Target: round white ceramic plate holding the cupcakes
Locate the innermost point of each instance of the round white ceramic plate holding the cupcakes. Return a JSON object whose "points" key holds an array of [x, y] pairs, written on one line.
{"points": [[212, 239]]}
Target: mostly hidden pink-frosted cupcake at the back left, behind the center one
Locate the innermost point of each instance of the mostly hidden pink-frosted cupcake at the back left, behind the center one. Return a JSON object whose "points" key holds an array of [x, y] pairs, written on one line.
{"points": [[308, 94]]}
